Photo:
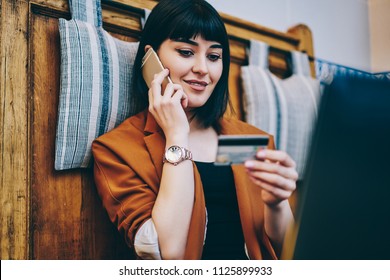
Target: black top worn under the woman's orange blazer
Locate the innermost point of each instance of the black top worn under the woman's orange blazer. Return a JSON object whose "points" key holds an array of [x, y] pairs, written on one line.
{"points": [[224, 236]]}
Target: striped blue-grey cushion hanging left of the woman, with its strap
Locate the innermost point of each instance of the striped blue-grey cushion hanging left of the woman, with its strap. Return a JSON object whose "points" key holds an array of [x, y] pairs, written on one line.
{"points": [[95, 84]]}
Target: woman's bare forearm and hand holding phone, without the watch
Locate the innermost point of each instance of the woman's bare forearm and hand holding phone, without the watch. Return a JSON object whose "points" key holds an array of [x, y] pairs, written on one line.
{"points": [[174, 201]]}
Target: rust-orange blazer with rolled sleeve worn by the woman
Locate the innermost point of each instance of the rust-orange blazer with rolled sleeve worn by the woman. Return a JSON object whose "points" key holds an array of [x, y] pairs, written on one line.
{"points": [[127, 169]]}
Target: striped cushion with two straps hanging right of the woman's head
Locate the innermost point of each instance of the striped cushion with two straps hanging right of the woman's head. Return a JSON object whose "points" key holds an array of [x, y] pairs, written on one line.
{"points": [[285, 108]]}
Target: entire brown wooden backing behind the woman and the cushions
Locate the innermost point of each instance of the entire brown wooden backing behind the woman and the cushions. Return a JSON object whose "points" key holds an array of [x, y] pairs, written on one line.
{"points": [[47, 214]]}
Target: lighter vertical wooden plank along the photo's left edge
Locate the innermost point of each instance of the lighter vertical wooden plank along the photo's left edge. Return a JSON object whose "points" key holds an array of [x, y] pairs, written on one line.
{"points": [[14, 131]]}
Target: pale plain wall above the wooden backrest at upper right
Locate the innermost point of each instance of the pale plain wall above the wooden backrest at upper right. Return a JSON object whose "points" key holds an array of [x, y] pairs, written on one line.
{"points": [[348, 35]]}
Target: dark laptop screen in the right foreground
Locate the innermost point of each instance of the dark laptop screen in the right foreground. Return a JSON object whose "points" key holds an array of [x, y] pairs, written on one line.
{"points": [[344, 201]]}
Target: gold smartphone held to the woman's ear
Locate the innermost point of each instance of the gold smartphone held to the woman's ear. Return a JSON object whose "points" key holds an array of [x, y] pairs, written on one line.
{"points": [[152, 65]]}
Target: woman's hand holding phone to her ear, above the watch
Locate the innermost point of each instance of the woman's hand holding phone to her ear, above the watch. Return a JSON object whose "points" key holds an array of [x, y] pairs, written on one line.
{"points": [[167, 107]]}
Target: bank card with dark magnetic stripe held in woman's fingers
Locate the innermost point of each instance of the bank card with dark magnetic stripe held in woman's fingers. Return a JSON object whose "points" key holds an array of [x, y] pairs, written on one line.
{"points": [[236, 149]]}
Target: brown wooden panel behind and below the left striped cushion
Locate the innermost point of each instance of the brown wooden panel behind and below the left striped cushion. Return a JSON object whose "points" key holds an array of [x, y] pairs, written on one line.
{"points": [[68, 221]]}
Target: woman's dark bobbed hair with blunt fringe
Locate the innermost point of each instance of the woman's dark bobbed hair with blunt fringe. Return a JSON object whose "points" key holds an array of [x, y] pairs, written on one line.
{"points": [[184, 19]]}
